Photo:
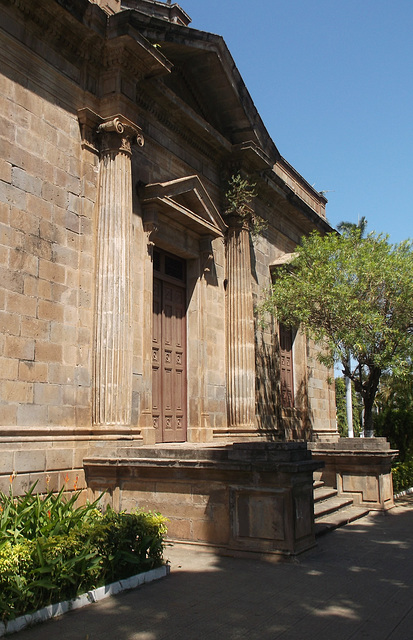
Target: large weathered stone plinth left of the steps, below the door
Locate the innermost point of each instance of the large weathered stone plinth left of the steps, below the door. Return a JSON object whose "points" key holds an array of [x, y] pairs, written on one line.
{"points": [[245, 497]]}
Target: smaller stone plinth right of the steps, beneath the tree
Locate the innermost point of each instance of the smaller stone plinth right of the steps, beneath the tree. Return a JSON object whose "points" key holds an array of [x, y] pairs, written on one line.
{"points": [[358, 467]]}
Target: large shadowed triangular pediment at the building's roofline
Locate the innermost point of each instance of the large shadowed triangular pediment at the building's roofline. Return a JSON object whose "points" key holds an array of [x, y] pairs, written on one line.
{"points": [[205, 77]]}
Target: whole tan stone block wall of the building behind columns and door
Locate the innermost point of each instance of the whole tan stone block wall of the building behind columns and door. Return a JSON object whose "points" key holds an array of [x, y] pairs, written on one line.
{"points": [[49, 188]]}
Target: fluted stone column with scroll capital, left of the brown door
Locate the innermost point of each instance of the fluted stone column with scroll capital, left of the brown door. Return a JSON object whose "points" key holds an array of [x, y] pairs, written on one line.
{"points": [[112, 388]]}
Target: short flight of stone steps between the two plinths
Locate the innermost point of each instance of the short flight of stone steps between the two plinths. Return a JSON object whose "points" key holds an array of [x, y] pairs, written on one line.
{"points": [[332, 511]]}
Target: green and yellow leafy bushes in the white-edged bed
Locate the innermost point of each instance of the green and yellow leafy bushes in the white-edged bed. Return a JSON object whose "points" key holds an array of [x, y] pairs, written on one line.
{"points": [[51, 550]]}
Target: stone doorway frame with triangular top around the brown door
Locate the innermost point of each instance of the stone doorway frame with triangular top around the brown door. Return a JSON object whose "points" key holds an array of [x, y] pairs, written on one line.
{"points": [[171, 211]]}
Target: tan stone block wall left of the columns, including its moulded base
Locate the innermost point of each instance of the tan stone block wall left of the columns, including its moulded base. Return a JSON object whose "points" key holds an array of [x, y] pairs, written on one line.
{"points": [[47, 196]]}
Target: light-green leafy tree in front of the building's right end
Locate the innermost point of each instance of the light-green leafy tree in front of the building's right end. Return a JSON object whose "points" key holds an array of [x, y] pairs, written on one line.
{"points": [[353, 295]]}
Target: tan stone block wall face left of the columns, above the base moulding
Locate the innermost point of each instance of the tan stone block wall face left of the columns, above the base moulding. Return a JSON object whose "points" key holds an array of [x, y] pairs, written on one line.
{"points": [[46, 249]]}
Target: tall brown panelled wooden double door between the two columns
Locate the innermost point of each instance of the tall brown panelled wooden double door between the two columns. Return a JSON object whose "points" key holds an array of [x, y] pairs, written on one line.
{"points": [[169, 380]]}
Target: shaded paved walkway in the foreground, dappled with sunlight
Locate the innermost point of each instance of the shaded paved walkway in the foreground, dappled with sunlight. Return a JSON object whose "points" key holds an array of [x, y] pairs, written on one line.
{"points": [[357, 584]]}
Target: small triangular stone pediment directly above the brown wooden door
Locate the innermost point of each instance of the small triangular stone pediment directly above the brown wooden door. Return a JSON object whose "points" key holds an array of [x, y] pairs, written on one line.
{"points": [[186, 201]]}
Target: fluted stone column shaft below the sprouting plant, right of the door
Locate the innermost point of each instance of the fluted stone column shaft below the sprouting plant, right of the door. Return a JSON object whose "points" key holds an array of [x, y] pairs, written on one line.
{"points": [[240, 329]]}
